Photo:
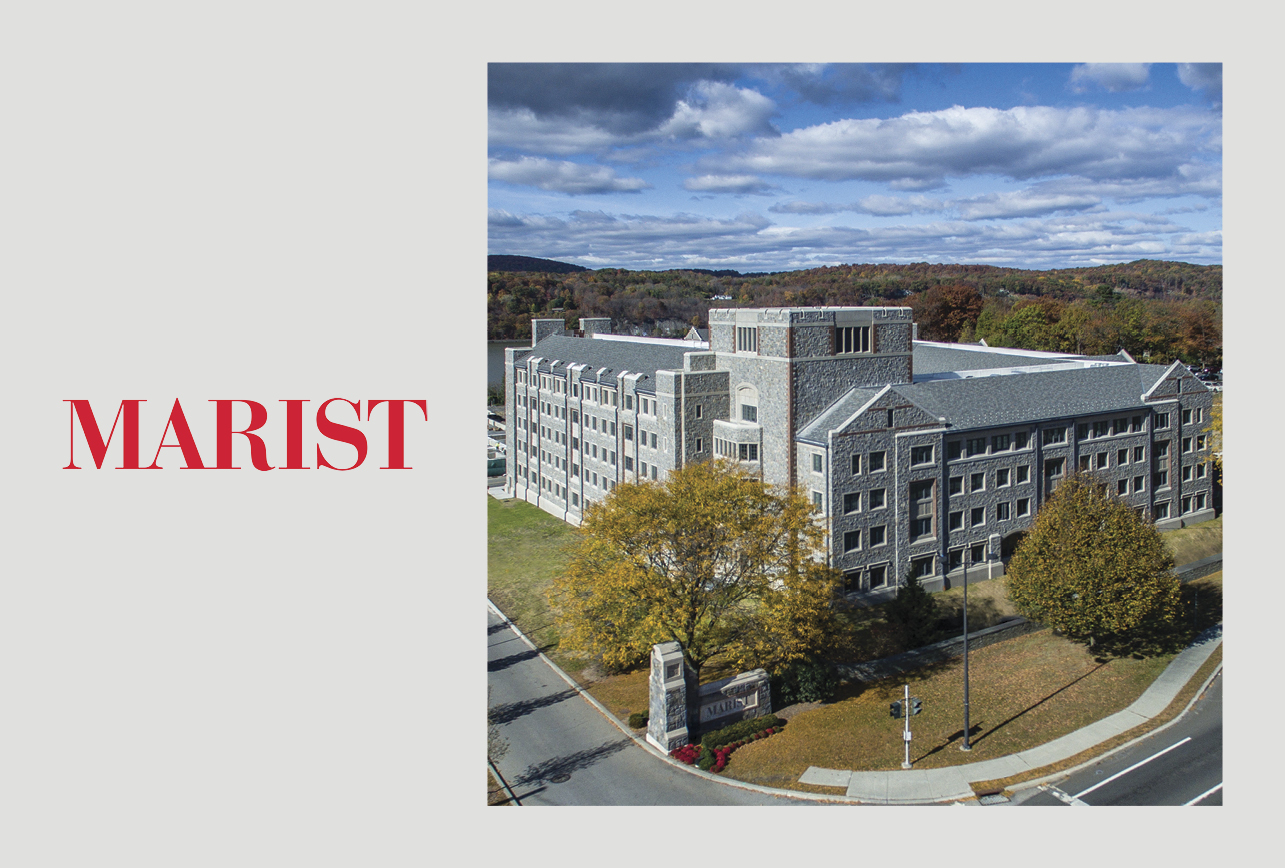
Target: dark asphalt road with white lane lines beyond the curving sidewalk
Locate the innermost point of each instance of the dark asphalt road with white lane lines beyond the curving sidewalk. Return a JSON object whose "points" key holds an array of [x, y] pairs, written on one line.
{"points": [[1179, 766]]}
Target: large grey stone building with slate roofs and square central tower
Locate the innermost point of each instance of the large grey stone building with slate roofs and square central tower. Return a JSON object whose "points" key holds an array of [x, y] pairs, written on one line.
{"points": [[919, 456]]}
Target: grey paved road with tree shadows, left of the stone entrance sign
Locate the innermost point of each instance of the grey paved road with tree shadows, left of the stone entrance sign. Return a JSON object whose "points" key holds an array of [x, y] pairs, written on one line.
{"points": [[563, 752]]}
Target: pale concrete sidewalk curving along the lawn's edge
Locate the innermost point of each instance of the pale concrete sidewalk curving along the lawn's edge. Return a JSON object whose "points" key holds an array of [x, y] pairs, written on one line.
{"points": [[919, 786]]}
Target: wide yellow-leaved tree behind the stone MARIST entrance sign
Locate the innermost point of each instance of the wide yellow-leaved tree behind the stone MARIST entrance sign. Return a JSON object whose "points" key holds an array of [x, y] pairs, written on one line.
{"points": [[711, 559]]}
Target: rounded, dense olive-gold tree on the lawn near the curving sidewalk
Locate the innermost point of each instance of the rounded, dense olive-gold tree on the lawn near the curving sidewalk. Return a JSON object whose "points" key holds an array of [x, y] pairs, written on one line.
{"points": [[1092, 569]]}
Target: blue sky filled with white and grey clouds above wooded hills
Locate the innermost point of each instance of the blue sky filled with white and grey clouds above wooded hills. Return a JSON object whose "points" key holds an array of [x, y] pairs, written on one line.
{"points": [[770, 168]]}
